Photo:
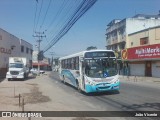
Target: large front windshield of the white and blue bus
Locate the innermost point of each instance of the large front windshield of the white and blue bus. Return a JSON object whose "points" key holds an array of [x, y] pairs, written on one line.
{"points": [[100, 68]]}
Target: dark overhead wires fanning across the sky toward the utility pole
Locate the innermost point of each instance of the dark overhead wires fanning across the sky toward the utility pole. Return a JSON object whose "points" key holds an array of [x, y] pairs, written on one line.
{"points": [[70, 18]]}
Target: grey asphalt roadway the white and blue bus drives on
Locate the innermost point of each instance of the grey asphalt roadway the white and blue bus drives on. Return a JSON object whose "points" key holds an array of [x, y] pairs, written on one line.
{"points": [[132, 97]]}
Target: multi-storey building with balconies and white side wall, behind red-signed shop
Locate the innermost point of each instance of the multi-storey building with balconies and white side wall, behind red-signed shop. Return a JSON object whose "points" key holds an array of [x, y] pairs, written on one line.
{"points": [[118, 30]]}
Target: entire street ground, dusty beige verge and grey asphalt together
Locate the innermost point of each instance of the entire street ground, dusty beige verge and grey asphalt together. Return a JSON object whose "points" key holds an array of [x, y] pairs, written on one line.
{"points": [[48, 93]]}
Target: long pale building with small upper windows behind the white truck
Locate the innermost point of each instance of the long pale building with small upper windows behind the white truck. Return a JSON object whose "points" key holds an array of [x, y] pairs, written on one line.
{"points": [[11, 46]]}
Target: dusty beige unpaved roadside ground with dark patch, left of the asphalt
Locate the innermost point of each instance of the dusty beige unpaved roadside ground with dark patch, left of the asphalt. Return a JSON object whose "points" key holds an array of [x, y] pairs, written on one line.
{"points": [[40, 94]]}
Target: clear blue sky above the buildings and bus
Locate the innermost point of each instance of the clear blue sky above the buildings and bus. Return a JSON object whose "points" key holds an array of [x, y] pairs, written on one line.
{"points": [[18, 18]]}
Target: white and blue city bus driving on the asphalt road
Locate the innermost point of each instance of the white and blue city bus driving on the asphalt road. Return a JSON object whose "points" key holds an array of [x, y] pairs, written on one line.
{"points": [[90, 71]]}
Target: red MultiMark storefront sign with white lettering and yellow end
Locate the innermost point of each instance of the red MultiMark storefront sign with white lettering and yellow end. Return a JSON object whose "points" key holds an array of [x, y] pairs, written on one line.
{"points": [[143, 52]]}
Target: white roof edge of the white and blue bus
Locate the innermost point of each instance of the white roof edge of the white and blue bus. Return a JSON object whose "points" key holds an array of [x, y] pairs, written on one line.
{"points": [[82, 53]]}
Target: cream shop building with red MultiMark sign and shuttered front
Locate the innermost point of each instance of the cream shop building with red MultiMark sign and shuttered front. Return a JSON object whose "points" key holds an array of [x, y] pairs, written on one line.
{"points": [[143, 54]]}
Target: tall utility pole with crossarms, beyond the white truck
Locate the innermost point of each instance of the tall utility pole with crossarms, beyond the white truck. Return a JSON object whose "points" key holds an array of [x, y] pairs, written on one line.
{"points": [[40, 36]]}
